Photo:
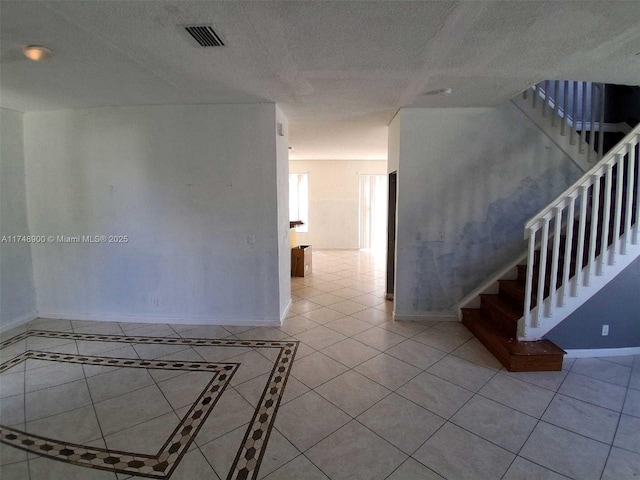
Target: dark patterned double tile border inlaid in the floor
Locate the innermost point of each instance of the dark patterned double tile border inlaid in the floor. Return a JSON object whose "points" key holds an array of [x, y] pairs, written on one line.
{"points": [[249, 456]]}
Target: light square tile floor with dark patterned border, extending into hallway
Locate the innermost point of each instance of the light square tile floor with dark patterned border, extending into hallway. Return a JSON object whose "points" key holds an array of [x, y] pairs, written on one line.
{"points": [[365, 398]]}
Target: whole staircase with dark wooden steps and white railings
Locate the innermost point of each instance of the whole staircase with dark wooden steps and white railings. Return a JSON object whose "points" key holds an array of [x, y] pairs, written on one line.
{"points": [[577, 244]]}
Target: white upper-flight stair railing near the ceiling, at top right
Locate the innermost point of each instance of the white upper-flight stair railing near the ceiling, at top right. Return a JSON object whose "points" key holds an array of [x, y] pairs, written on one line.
{"points": [[578, 108]]}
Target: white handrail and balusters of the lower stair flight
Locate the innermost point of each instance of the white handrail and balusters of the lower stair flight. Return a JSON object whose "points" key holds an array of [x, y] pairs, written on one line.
{"points": [[549, 222]]}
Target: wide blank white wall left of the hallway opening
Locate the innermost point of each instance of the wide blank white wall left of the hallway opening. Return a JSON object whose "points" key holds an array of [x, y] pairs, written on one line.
{"points": [[194, 189]]}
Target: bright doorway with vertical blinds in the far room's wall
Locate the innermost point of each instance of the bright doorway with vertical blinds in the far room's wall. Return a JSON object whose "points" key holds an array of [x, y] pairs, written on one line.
{"points": [[373, 212]]}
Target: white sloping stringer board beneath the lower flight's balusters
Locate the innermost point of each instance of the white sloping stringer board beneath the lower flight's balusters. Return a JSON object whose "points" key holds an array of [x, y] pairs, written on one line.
{"points": [[584, 292]]}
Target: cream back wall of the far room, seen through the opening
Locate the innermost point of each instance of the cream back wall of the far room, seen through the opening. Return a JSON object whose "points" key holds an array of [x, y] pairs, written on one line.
{"points": [[334, 200]]}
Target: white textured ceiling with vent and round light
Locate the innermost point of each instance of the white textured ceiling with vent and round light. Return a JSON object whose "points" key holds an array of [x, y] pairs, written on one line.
{"points": [[339, 70]]}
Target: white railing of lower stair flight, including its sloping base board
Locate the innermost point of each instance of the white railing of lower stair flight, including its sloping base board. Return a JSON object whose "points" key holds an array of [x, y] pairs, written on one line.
{"points": [[596, 216]]}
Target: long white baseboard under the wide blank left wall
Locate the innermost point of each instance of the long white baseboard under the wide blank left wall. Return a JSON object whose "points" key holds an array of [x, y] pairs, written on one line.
{"points": [[164, 319]]}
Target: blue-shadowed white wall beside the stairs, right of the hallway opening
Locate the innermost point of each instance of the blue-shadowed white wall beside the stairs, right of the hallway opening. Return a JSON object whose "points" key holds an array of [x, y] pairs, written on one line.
{"points": [[468, 179]]}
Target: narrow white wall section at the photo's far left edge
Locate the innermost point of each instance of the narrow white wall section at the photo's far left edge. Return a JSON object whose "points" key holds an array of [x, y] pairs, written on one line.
{"points": [[17, 293]]}
